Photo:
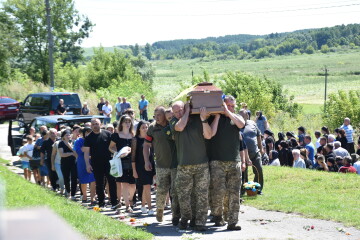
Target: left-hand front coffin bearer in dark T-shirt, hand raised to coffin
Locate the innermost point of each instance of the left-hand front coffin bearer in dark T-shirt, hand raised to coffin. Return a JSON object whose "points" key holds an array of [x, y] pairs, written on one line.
{"points": [[190, 132]]}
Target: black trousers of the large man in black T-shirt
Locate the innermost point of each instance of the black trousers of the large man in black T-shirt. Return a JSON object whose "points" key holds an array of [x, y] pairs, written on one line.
{"points": [[100, 171]]}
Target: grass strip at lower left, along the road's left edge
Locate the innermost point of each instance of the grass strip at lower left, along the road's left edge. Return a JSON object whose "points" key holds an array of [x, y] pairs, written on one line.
{"points": [[93, 225]]}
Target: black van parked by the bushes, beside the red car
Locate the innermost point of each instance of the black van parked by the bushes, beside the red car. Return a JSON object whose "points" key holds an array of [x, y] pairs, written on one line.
{"points": [[42, 104]]}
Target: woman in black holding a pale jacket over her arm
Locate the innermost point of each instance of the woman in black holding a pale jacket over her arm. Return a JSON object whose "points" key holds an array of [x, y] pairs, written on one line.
{"points": [[126, 183]]}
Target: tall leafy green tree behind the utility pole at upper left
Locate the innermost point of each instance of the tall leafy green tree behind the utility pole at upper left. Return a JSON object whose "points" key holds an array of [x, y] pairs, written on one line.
{"points": [[69, 28]]}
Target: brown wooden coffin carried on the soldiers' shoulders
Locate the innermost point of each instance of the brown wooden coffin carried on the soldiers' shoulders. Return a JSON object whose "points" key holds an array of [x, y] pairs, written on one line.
{"points": [[206, 95]]}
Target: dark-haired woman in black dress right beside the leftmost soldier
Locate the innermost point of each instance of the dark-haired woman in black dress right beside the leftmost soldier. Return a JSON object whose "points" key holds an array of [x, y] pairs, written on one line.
{"points": [[144, 178]]}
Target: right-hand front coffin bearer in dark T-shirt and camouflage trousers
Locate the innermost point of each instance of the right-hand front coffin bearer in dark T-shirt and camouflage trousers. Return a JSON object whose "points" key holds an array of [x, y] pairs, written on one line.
{"points": [[226, 164]]}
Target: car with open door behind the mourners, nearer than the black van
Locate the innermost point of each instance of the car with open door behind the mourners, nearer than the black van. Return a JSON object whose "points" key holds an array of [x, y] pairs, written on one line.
{"points": [[18, 130]]}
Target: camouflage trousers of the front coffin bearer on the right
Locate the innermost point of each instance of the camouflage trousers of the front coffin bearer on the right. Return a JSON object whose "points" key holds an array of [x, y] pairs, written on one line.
{"points": [[225, 178]]}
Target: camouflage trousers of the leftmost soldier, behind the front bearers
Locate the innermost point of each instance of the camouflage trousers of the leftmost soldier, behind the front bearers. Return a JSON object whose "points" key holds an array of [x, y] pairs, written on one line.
{"points": [[165, 181]]}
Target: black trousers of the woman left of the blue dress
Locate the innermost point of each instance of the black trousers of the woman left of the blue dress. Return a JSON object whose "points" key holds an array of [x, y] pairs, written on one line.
{"points": [[68, 169]]}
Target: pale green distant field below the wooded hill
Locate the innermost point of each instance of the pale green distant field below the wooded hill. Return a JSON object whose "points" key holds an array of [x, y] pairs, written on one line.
{"points": [[302, 76]]}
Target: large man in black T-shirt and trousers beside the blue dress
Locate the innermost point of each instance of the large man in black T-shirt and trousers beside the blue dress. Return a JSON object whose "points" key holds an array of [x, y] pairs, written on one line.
{"points": [[96, 145]]}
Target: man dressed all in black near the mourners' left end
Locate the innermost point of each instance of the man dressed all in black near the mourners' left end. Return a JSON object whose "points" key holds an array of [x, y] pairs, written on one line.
{"points": [[45, 156]]}
